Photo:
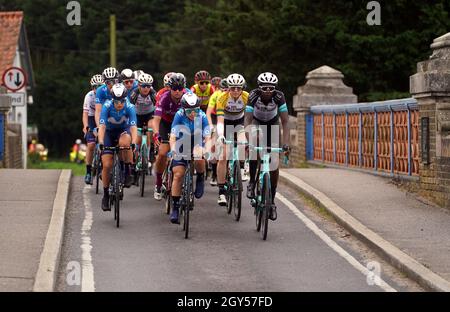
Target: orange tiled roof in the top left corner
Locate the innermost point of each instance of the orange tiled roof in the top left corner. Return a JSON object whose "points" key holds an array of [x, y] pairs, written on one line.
{"points": [[10, 26]]}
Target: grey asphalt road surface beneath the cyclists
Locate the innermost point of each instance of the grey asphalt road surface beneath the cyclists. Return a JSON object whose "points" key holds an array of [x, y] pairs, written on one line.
{"points": [[148, 253]]}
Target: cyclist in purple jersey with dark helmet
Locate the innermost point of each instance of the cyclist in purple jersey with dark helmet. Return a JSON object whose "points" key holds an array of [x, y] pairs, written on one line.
{"points": [[165, 111]]}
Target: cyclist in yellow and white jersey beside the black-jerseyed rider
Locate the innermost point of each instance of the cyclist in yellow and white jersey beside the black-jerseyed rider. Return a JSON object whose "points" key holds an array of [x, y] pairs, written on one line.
{"points": [[230, 108]]}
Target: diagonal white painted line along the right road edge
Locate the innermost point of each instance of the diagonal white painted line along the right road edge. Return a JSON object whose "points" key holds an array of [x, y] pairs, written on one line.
{"points": [[332, 244]]}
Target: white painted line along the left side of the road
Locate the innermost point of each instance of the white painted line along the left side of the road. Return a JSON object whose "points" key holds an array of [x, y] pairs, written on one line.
{"points": [[87, 283]]}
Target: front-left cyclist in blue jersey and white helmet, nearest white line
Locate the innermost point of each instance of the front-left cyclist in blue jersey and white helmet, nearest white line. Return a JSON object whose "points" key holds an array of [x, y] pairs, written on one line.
{"points": [[117, 127]]}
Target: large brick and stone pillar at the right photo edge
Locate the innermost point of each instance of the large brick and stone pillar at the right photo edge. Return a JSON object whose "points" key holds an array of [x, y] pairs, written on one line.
{"points": [[431, 87]]}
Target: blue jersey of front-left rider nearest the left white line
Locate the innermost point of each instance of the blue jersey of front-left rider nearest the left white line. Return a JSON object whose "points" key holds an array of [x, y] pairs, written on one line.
{"points": [[115, 120]]}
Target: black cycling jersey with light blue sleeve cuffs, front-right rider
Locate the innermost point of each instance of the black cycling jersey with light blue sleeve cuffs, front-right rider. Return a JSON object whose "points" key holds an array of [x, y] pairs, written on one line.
{"points": [[266, 112]]}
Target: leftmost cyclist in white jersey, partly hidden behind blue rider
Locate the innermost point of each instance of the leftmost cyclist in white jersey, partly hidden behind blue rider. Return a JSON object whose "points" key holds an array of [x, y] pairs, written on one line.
{"points": [[89, 125]]}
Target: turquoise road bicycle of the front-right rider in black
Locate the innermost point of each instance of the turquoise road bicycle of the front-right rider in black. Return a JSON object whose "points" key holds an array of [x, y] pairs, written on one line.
{"points": [[263, 199]]}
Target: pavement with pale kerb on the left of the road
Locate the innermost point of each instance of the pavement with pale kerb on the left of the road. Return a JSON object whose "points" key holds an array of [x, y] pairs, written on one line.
{"points": [[28, 202]]}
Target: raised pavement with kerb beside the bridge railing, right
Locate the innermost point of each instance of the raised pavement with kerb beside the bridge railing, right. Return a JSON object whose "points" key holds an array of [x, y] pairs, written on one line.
{"points": [[409, 232]]}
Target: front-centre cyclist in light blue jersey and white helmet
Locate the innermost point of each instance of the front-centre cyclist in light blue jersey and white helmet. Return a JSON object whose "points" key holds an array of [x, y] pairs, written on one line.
{"points": [[190, 131]]}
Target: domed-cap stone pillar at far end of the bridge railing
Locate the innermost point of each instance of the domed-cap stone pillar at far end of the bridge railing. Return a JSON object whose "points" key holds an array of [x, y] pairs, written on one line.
{"points": [[324, 86]]}
